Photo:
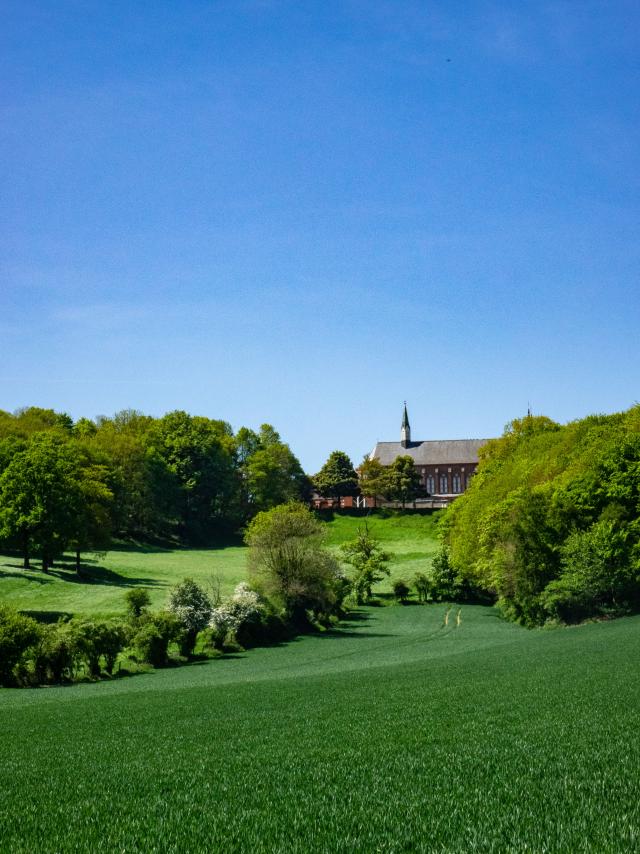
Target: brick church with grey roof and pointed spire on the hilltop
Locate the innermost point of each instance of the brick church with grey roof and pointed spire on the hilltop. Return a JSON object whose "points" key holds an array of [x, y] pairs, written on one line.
{"points": [[446, 466]]}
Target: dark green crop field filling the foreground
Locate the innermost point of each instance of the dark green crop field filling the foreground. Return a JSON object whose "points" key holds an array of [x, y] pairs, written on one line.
{"points": [[394, 733]]}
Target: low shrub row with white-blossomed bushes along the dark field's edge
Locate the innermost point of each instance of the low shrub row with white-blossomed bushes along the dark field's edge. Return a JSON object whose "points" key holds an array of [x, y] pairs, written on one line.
{"points": [[32, 653]]}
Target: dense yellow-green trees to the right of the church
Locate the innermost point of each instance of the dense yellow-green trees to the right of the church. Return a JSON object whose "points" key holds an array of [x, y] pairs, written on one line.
{"points": [[551, 523]]}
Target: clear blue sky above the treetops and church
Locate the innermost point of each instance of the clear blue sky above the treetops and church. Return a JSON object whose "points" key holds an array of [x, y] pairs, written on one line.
{"points": [[306, 212]]}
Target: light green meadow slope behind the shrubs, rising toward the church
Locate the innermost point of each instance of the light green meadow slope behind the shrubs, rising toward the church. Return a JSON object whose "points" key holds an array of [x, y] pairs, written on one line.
{"points": [[411, 538]]}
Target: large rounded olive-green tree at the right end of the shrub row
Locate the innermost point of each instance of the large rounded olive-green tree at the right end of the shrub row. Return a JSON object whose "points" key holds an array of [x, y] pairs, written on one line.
{"points": [[289, 564]]}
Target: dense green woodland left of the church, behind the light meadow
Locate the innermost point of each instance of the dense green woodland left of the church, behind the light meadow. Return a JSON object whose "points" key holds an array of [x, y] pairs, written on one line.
{"points": [[183, 478]]}
